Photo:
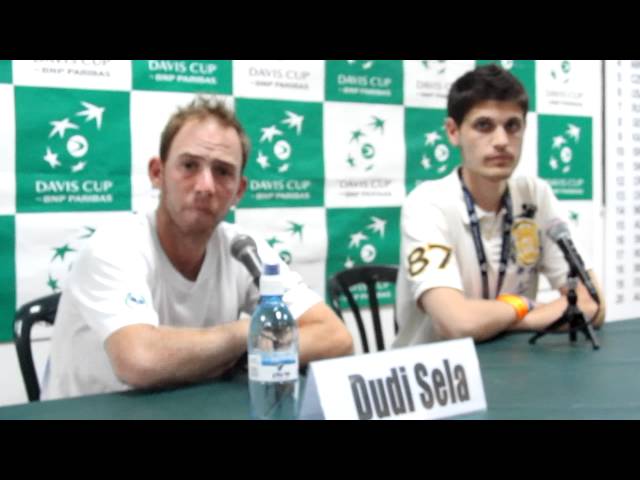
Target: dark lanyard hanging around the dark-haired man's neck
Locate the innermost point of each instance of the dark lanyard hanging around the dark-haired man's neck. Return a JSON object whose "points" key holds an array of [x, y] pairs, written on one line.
{"points": [[477, 238]]}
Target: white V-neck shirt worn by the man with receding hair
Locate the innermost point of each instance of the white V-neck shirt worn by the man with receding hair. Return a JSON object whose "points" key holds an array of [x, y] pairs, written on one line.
{"points": [[124, 277]]}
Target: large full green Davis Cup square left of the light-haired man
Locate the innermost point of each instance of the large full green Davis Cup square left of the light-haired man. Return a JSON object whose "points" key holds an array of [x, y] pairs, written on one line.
{"points": [[73, 150]]}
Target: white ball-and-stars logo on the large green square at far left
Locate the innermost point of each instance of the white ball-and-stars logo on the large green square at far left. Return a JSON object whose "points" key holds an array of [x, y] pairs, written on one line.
{"points": [[67, 143]]}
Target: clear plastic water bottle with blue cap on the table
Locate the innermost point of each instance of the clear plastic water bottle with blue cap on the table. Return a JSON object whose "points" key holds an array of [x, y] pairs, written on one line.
{"points": [[273, 353]]}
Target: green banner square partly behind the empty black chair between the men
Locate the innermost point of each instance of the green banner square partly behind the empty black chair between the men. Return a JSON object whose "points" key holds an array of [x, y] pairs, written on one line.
{"points": [[363, 236]]}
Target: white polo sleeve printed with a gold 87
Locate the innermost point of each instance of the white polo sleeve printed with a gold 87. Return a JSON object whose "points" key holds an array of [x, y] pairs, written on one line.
{"points": [[427, 252]]}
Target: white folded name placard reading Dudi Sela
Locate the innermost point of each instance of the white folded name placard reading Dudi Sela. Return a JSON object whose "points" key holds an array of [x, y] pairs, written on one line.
{"points": [[435, 380]]}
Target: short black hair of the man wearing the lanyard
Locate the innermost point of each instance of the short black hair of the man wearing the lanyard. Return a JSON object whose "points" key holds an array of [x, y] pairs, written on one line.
{"points": [[488, 82]]}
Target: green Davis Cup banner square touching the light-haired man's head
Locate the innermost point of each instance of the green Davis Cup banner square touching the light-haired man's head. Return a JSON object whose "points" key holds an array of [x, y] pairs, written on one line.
{"points": [[285, 166]]}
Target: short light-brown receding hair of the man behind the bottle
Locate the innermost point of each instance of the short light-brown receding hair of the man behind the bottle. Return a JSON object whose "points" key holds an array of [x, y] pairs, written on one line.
{"points": [[202, 108]]}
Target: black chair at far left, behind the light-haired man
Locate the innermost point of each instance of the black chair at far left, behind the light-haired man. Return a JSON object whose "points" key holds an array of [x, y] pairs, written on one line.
{"points": [[40, 310]]}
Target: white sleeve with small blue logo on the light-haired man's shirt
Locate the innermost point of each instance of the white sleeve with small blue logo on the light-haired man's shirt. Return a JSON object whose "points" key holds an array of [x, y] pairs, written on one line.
{"points": [[110, 290]]}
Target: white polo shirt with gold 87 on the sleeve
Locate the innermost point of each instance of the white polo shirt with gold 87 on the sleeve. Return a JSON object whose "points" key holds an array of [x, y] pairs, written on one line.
{"points": [[437, 249]]}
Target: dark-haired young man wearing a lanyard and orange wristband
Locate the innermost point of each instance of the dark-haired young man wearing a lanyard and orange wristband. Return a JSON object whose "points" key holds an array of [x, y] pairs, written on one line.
{"points": [[479, 219]]}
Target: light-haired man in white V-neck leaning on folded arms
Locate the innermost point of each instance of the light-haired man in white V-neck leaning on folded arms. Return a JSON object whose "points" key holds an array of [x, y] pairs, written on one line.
{"points": [[159, 300]]}
